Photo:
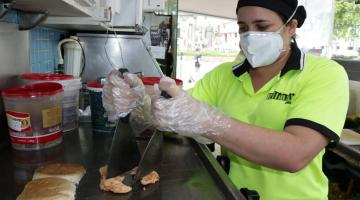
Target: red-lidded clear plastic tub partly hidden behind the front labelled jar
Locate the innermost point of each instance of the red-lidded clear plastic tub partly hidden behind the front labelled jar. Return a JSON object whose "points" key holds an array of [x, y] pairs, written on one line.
{"points": [[70, 103]]}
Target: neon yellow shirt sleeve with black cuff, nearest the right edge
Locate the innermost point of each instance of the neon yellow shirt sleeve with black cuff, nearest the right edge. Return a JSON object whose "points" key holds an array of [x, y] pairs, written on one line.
{"points": [[322, 102]]}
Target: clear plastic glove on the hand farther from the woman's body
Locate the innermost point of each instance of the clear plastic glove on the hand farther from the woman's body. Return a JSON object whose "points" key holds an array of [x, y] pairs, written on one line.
{"points": [[121, 94]]}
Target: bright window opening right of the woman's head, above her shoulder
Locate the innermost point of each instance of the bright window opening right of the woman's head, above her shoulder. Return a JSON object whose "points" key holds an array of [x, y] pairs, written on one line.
{"points": [[332, 29]]}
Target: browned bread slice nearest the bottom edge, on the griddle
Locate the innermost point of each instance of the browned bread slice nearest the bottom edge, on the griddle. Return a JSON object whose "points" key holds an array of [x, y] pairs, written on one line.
{"points": [[48, 189]]}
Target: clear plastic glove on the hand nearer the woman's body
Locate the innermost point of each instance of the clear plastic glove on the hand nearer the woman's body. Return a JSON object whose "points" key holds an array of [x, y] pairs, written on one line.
{"points": [[185, 115]]}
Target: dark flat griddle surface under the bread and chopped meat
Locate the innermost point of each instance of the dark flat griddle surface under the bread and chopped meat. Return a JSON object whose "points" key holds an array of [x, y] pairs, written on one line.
{"points": [[188, 170]]}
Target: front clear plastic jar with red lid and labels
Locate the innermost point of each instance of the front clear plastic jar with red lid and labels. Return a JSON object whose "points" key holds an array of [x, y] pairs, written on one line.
{"points": [[34, 114]]}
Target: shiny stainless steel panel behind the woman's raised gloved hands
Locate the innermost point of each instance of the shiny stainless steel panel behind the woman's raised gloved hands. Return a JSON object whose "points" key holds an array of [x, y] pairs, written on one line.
{"points": [[106, 52]]}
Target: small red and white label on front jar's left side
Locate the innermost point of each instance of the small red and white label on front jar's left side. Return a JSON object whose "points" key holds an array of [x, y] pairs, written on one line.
{"points": [[18, 122]]}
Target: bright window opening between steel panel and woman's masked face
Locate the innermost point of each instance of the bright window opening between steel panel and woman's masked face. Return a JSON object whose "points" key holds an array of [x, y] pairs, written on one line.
{"points": [[204, 42]]}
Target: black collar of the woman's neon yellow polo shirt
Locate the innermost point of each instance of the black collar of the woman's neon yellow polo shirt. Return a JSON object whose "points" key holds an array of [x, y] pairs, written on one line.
{"points": [[295, 62]]}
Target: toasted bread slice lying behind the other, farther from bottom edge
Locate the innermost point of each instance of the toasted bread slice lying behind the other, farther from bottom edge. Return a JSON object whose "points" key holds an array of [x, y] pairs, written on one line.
{"points": [[70, 172]]}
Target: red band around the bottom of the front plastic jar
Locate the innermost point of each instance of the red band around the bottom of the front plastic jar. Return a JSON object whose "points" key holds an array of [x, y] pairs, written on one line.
{"points": [[36, 139]]}
